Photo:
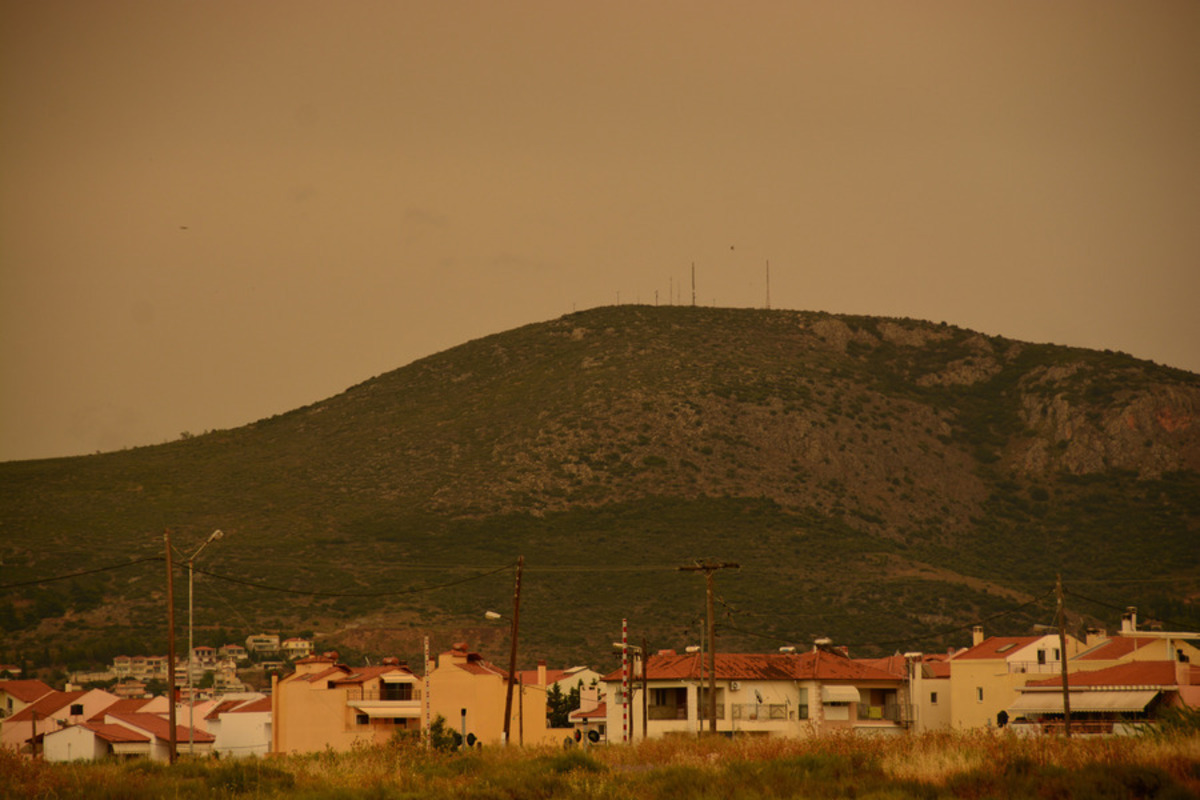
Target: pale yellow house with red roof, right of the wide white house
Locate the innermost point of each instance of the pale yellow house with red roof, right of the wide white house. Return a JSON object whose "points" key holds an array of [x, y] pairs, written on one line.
{"points": [[986, 678]]}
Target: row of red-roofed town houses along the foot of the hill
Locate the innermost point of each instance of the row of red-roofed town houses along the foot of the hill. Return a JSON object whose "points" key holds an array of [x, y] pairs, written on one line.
{"points": [[1117, 685]]}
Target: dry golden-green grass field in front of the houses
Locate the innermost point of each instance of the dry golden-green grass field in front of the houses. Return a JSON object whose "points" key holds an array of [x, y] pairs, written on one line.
{"points": [[932, 767]]}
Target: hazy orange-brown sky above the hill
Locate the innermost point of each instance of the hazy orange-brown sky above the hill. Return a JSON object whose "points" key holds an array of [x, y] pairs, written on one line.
{"points": [[213, 212]]}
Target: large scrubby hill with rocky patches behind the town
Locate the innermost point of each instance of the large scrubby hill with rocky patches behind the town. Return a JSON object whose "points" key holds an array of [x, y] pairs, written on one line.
{"points": [[881, 482]]}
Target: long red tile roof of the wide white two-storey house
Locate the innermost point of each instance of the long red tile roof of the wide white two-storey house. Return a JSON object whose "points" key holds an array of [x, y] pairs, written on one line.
{"points": [[734, 666]]}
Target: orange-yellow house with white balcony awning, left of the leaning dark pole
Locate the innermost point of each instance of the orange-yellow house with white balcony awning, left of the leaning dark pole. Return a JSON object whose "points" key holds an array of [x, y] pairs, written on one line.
{"points": [[328, 705]]}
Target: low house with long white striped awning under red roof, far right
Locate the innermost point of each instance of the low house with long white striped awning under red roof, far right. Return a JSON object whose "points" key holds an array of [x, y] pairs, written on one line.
{"points": [[1115, 700]]}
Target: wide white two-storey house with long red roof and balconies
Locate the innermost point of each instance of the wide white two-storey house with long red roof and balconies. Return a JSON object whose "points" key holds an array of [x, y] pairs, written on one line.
{"points": [[777, 695]]}
